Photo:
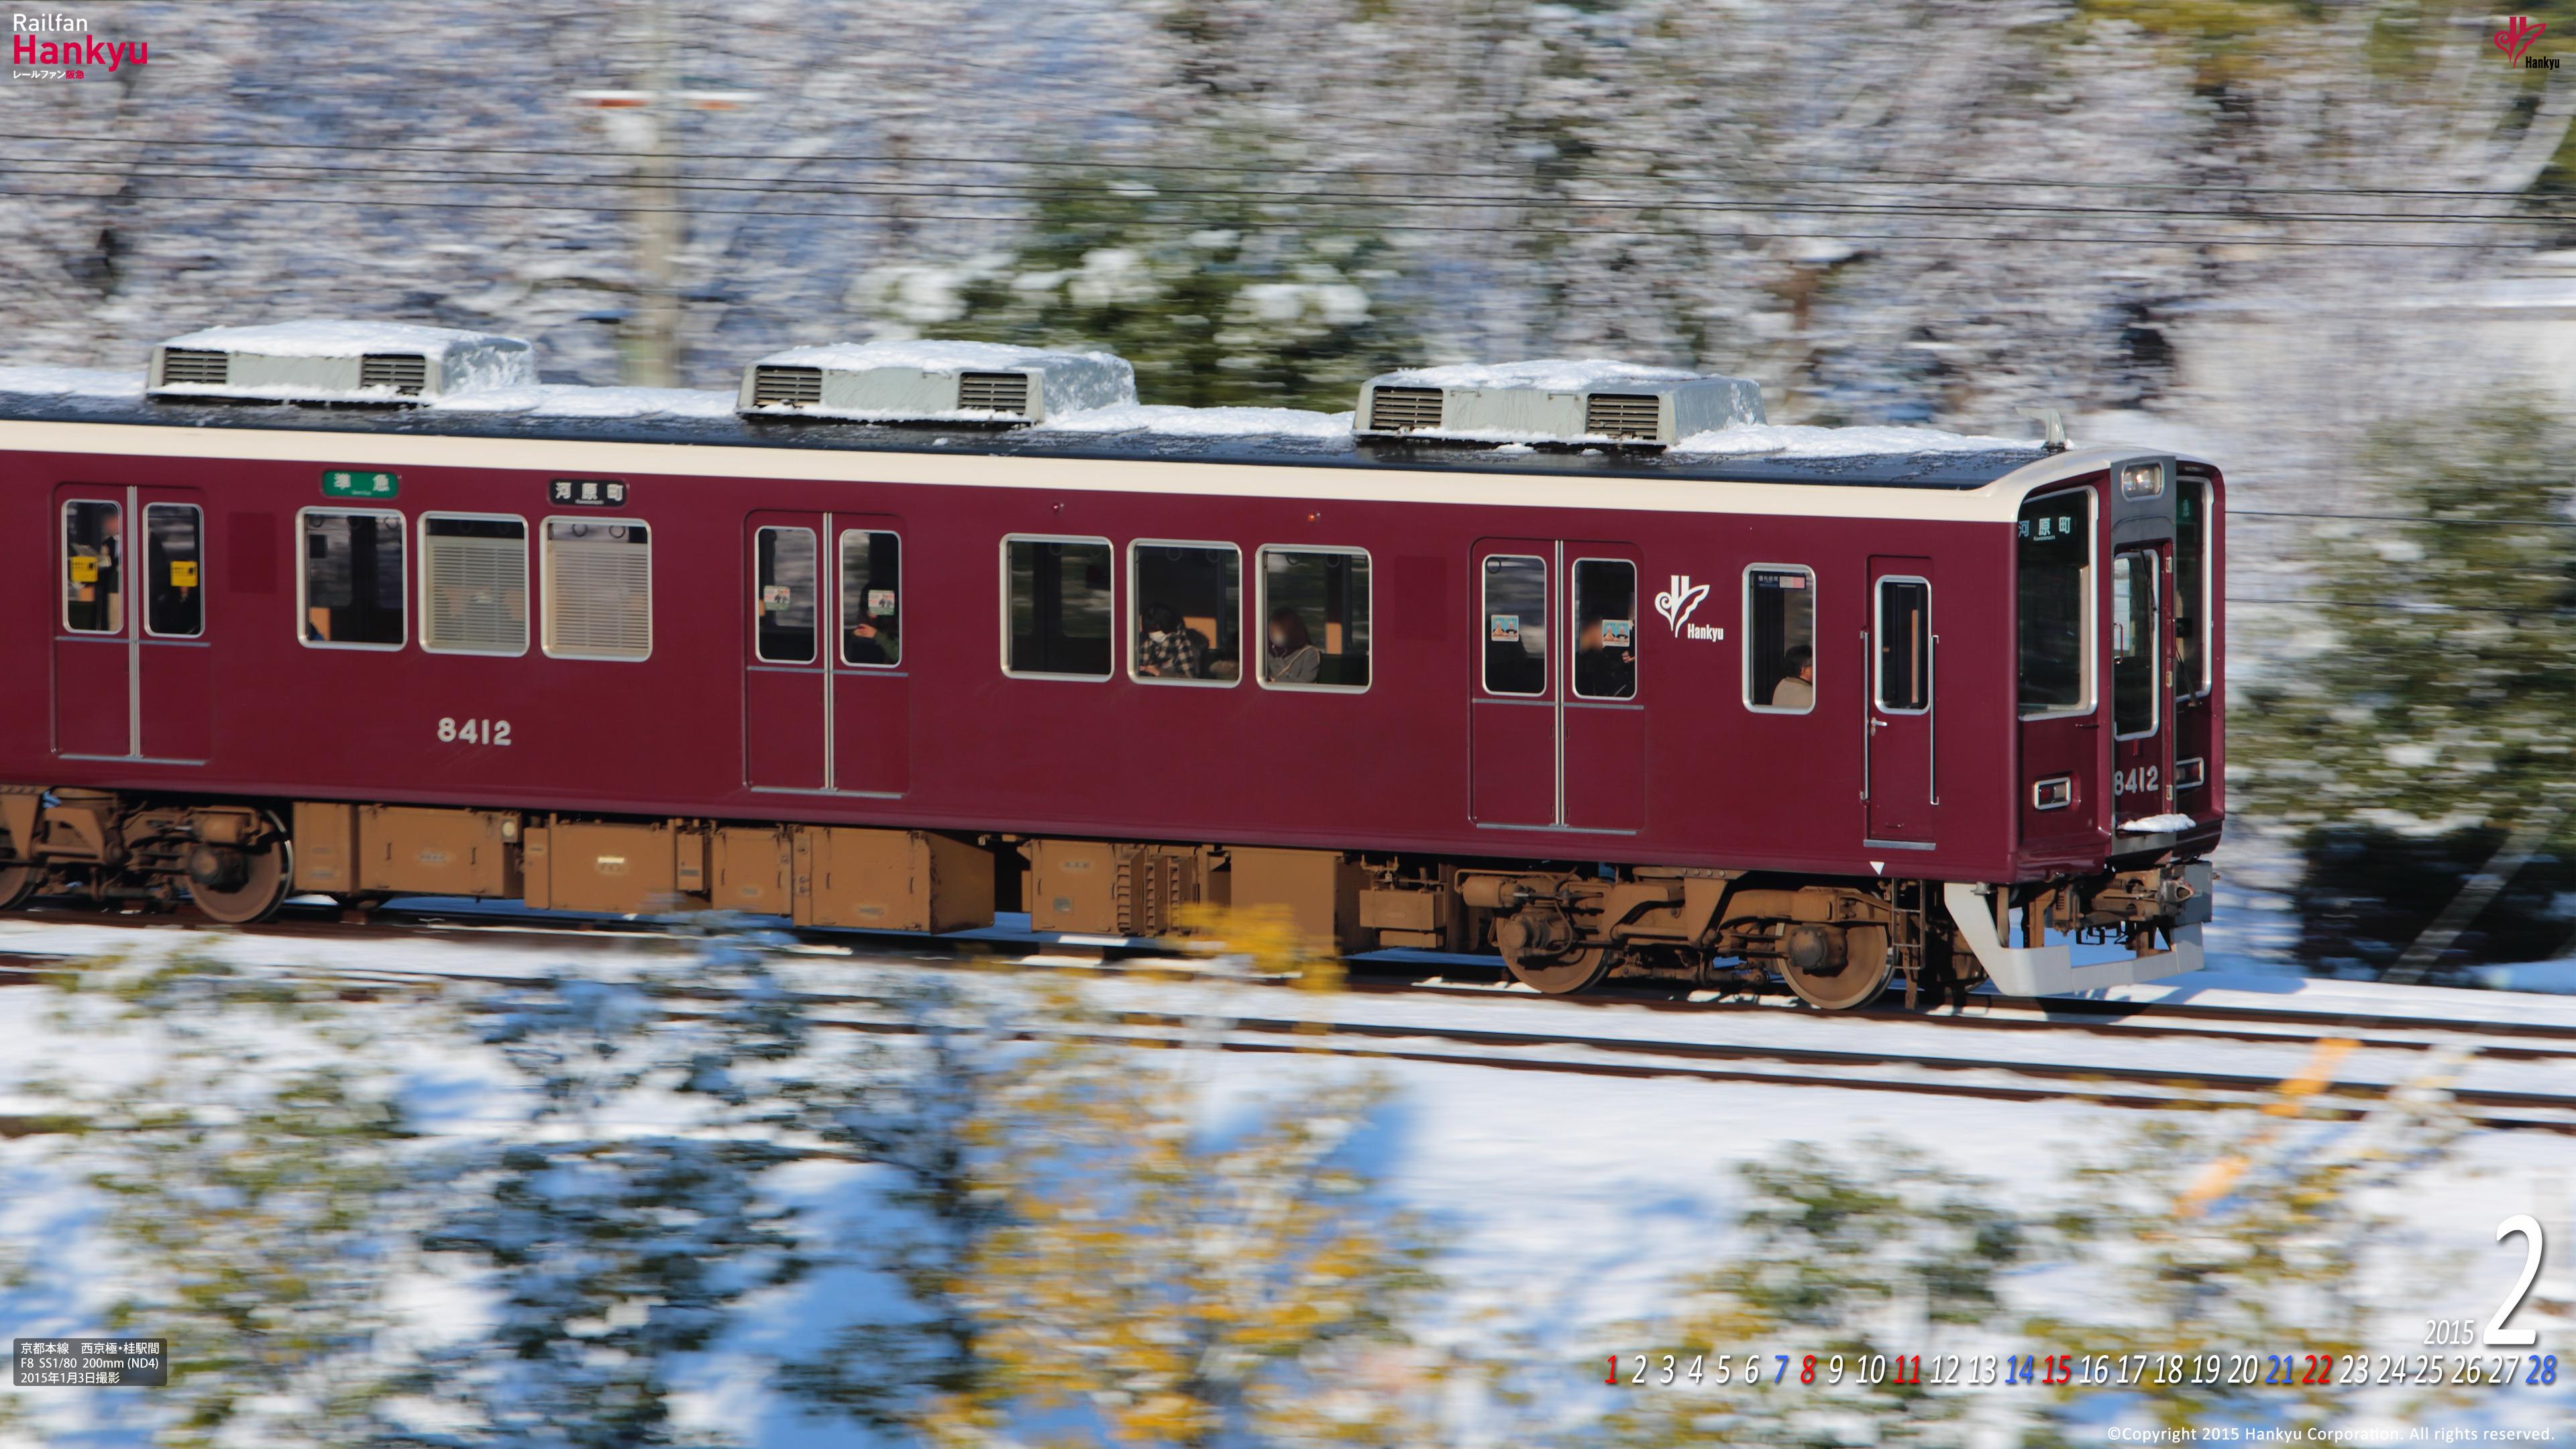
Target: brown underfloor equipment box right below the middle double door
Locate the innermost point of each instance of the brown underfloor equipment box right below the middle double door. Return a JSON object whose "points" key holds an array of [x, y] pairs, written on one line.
{"points": [[890, 880]]}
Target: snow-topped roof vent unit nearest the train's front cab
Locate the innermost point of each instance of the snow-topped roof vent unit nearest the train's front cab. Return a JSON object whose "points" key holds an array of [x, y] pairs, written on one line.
{"points": [[1555, 404]]}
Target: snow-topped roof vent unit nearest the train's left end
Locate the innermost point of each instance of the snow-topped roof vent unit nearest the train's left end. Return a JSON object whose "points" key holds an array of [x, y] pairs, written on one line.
{"points": [[339, 362]]}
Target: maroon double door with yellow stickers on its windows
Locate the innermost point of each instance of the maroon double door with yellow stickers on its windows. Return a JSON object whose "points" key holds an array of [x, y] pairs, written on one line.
{"points": [[133, 664]]}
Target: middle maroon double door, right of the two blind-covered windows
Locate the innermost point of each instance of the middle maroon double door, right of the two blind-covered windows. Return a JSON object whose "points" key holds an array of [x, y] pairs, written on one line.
{"points": [[826, 697]]}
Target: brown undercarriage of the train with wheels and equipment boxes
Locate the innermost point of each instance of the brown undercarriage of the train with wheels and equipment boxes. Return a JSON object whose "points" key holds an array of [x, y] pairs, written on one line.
{"points": [[1560, 929]]}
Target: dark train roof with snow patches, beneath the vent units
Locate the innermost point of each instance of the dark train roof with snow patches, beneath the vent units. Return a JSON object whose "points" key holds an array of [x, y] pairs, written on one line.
{"points": [[1264, 437]]}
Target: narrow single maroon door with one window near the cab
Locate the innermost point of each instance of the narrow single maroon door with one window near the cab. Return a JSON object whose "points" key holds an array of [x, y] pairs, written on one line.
{"points": [[1900, 731]]}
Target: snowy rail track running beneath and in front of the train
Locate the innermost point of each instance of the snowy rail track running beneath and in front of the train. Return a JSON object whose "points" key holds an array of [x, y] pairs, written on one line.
{"points": [[2165, 1056]]}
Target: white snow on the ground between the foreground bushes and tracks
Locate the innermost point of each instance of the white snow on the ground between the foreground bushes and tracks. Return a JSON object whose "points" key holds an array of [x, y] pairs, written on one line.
{"points": [[1565, 1208]]}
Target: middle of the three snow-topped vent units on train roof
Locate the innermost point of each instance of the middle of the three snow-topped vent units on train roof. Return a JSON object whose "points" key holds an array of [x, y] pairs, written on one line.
{"points": [[934, 383]]}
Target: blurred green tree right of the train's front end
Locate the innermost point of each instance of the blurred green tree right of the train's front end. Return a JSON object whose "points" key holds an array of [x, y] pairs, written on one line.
{"points": [[2430, 715]]}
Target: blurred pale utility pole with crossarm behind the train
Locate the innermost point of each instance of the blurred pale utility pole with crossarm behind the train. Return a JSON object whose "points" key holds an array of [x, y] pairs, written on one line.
{"points": [[638, 122]]}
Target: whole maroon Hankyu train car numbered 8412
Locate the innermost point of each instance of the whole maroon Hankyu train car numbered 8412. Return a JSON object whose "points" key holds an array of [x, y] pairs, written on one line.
{"points": [[1848, 721]]}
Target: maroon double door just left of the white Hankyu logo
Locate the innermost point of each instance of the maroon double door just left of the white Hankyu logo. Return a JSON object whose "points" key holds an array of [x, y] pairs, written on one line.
{"points": [[1557, 731]]}
